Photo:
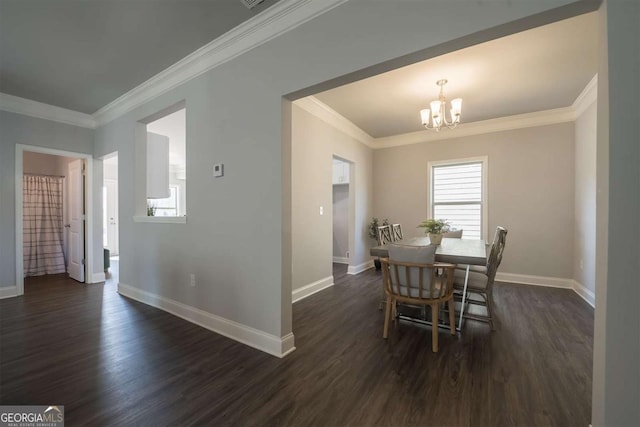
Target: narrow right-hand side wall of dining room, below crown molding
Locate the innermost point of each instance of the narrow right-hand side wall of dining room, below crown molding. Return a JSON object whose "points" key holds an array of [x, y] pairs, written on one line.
{"points": [[585, 232]]}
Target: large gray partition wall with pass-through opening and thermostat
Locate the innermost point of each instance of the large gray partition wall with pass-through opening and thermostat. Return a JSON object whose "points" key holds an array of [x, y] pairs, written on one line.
{"points": [[232, 241]]}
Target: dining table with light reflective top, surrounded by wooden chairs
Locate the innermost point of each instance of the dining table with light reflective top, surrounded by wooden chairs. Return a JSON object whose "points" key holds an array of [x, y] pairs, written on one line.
{"points": [[464, 252]]}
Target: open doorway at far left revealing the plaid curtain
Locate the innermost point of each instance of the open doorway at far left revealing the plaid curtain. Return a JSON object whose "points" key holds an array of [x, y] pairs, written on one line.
{"points": [[52, 237]]}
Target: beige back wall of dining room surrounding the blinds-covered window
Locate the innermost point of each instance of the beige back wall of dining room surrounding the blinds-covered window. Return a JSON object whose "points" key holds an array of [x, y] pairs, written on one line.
{"points": [[530, 191]]}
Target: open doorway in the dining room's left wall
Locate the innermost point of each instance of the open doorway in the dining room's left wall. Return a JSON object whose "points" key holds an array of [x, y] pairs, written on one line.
{"points": [[341, 189]]}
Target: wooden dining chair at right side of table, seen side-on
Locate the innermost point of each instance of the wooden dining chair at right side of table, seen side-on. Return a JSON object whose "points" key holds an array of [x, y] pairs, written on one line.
{"points": [[481, 279]]}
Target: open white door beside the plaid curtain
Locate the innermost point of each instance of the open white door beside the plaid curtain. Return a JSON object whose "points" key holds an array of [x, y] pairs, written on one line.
{"points": [[76, 221]]}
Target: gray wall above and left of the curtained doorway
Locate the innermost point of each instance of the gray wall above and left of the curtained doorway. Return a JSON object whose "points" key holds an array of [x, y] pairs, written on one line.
{"points": [[19, 129]]}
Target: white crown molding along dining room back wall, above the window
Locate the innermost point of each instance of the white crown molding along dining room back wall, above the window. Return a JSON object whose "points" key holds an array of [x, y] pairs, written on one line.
{"points": [[520, 121]]}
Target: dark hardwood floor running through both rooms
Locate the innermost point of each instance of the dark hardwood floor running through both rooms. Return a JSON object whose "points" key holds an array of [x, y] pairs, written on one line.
{"points": [[113, 361]]}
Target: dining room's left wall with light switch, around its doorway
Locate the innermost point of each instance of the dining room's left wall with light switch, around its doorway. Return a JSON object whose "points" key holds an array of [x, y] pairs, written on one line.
{"points": [[314, 144]]}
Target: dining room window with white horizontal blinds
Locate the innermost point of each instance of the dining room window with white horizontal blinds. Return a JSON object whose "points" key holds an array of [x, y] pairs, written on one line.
{"points": [[457, 194]]}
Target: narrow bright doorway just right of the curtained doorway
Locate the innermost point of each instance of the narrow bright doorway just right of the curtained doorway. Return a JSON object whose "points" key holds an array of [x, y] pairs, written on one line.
{"points": [[110, 235]]}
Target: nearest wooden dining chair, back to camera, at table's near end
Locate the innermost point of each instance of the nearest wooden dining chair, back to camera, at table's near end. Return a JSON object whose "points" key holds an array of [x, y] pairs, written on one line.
{"points": [[409, 276]]}
